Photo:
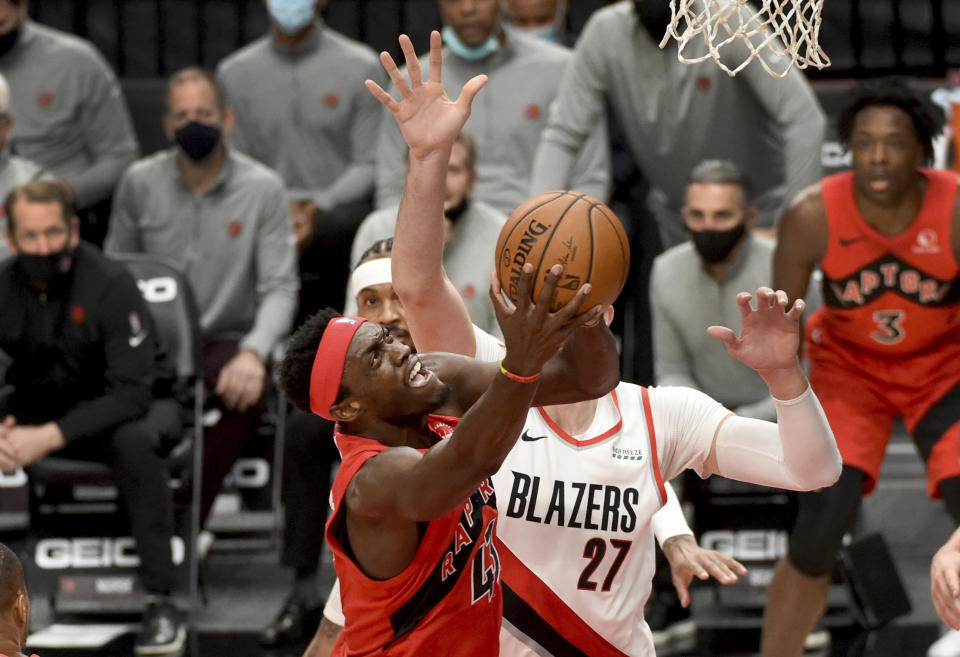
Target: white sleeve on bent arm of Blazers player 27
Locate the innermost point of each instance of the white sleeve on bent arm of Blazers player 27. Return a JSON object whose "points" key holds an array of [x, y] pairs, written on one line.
{"points": [[799, 452]]}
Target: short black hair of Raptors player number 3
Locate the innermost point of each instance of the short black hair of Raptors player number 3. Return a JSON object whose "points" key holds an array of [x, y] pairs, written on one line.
{"points": [[927, 117]]}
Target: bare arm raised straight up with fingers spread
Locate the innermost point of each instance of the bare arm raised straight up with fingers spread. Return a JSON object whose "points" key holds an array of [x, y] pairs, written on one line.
{"points": [[430, 123]]}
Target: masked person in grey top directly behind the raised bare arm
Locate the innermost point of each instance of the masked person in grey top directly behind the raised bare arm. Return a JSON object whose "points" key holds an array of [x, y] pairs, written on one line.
{"points": [[470, 226]]}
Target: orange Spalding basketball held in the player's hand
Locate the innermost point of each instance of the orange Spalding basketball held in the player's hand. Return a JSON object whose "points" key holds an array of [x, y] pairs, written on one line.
{"points": [[572, 229]]}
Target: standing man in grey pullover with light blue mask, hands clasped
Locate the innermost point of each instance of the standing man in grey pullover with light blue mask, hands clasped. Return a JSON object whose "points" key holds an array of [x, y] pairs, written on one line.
{"points": [[300, 108]]}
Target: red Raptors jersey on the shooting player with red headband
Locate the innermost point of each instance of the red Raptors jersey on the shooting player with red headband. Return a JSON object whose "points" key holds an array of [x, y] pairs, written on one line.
{"points": [[447, 601]]}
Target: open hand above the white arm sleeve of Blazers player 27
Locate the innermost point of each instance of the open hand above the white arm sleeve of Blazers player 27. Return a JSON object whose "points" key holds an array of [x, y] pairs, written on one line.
{"points": [[769, 334]]}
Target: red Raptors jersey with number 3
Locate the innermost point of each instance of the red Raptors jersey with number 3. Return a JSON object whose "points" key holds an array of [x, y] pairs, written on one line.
{"points": [[891, 296]]}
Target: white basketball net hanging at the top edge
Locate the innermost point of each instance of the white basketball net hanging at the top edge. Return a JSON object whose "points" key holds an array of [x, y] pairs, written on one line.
{"points": [[787, 29]]}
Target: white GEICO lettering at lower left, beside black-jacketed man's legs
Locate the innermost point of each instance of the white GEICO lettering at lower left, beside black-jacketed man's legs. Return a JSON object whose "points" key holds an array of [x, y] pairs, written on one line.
{"points": [[99, 552]]}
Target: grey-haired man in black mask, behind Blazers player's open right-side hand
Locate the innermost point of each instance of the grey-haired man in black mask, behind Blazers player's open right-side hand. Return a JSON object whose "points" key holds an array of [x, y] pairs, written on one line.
{"points": [[722, 257]]}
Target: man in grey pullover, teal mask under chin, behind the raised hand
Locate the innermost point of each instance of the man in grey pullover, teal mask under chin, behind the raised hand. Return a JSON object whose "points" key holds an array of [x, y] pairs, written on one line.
{"points": [[524, 77]]}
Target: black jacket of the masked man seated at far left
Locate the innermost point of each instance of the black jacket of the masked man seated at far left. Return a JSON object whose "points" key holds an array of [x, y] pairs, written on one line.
{"points": [[84, 354]]}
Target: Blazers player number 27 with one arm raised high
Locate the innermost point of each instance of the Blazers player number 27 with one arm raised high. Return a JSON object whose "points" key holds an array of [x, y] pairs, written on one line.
{"points": [[668, 429]]}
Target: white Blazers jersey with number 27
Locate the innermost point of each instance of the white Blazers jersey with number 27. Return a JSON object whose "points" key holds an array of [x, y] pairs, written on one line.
{"points": [[575, 538]]}
